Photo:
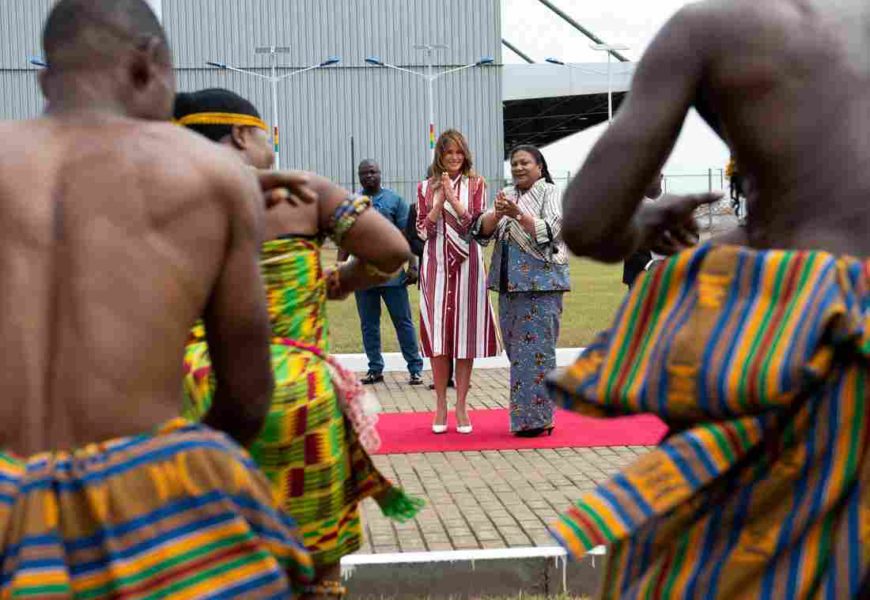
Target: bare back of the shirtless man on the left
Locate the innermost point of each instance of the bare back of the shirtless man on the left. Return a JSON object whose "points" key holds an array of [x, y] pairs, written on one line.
{"points": [[113, 235]]}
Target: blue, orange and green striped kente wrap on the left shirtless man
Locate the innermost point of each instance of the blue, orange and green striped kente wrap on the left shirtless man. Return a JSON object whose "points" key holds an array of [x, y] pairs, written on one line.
{"points": [[180, 513]]}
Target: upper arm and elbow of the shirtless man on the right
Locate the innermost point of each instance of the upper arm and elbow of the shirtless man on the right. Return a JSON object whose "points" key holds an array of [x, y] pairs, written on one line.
{"points": [[601, 203]]}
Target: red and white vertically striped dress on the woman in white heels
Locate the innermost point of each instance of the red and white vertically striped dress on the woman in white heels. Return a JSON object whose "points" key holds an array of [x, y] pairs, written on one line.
{"points": [[456, 317]]}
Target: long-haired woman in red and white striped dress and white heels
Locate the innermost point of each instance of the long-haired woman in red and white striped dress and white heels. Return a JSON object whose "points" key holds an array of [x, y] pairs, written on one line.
{"points": [[456, 318]]}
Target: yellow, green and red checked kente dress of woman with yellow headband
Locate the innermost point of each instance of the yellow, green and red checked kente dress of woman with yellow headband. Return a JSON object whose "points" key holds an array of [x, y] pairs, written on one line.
{"points": [[307, 449]]}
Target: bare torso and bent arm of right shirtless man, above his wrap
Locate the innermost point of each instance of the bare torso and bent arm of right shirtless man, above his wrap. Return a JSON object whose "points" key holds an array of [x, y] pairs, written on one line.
{"points": [[786, 83]]}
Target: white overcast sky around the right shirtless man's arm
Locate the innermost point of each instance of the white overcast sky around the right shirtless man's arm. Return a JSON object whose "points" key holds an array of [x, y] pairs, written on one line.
{"points": [[540, 33]]}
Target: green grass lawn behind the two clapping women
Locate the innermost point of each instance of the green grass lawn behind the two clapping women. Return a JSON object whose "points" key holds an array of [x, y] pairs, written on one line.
{"points": [[596, 291]]}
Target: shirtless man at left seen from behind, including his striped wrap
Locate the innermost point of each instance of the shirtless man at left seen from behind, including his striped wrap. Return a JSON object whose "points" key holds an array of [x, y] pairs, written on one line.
{"points": [[119, 230]]}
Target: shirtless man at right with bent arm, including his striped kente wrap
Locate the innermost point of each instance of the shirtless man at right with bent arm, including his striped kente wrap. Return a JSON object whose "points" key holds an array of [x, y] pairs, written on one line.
{"points": [[755, 350]]}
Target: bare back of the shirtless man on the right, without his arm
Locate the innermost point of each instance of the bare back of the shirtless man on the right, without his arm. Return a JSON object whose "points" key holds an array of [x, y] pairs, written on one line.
{"points": [[790, 81]]}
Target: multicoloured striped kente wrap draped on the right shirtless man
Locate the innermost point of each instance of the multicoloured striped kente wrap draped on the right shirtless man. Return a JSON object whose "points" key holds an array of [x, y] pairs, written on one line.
{"points": [[758, 361]]}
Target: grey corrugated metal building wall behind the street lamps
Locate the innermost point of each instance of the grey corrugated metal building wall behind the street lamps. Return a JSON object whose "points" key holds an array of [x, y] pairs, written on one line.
{"points": [[319, 111]]}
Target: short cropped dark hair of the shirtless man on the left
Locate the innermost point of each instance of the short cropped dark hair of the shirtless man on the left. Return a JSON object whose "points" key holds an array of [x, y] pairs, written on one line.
{"points": [[77, 31]]}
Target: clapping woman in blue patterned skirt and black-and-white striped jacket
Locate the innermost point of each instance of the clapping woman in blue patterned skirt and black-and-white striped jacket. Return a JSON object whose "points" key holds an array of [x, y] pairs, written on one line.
{"points": [[530, 272]]}
